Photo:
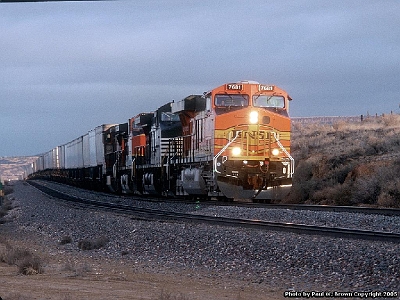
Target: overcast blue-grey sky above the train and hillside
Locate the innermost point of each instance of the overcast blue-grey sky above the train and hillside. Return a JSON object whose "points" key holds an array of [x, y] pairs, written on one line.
{"points": [[66, 67]]}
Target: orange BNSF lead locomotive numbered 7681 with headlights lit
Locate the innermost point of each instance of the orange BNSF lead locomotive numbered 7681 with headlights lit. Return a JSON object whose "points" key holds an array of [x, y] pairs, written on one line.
{"points": [[236, 141]]}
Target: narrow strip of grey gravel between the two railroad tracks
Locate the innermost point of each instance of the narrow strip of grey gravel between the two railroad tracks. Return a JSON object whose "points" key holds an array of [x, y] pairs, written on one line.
{"points": [[307, 217]]}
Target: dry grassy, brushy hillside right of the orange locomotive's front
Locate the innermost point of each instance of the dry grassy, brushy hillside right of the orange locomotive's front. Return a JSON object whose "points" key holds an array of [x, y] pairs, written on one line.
{"points": [[347, 163]]}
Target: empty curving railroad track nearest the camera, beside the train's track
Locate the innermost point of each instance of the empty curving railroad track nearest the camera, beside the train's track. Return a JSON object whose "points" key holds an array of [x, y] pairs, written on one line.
{"points": [[145, 213]]}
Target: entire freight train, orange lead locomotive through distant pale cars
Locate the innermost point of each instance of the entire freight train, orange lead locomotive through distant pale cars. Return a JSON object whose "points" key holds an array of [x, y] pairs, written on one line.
{"points": [[232, 142]]}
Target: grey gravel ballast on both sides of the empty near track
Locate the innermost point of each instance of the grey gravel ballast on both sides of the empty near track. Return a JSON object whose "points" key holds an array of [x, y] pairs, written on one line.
{"points": [[276, 259]]}
